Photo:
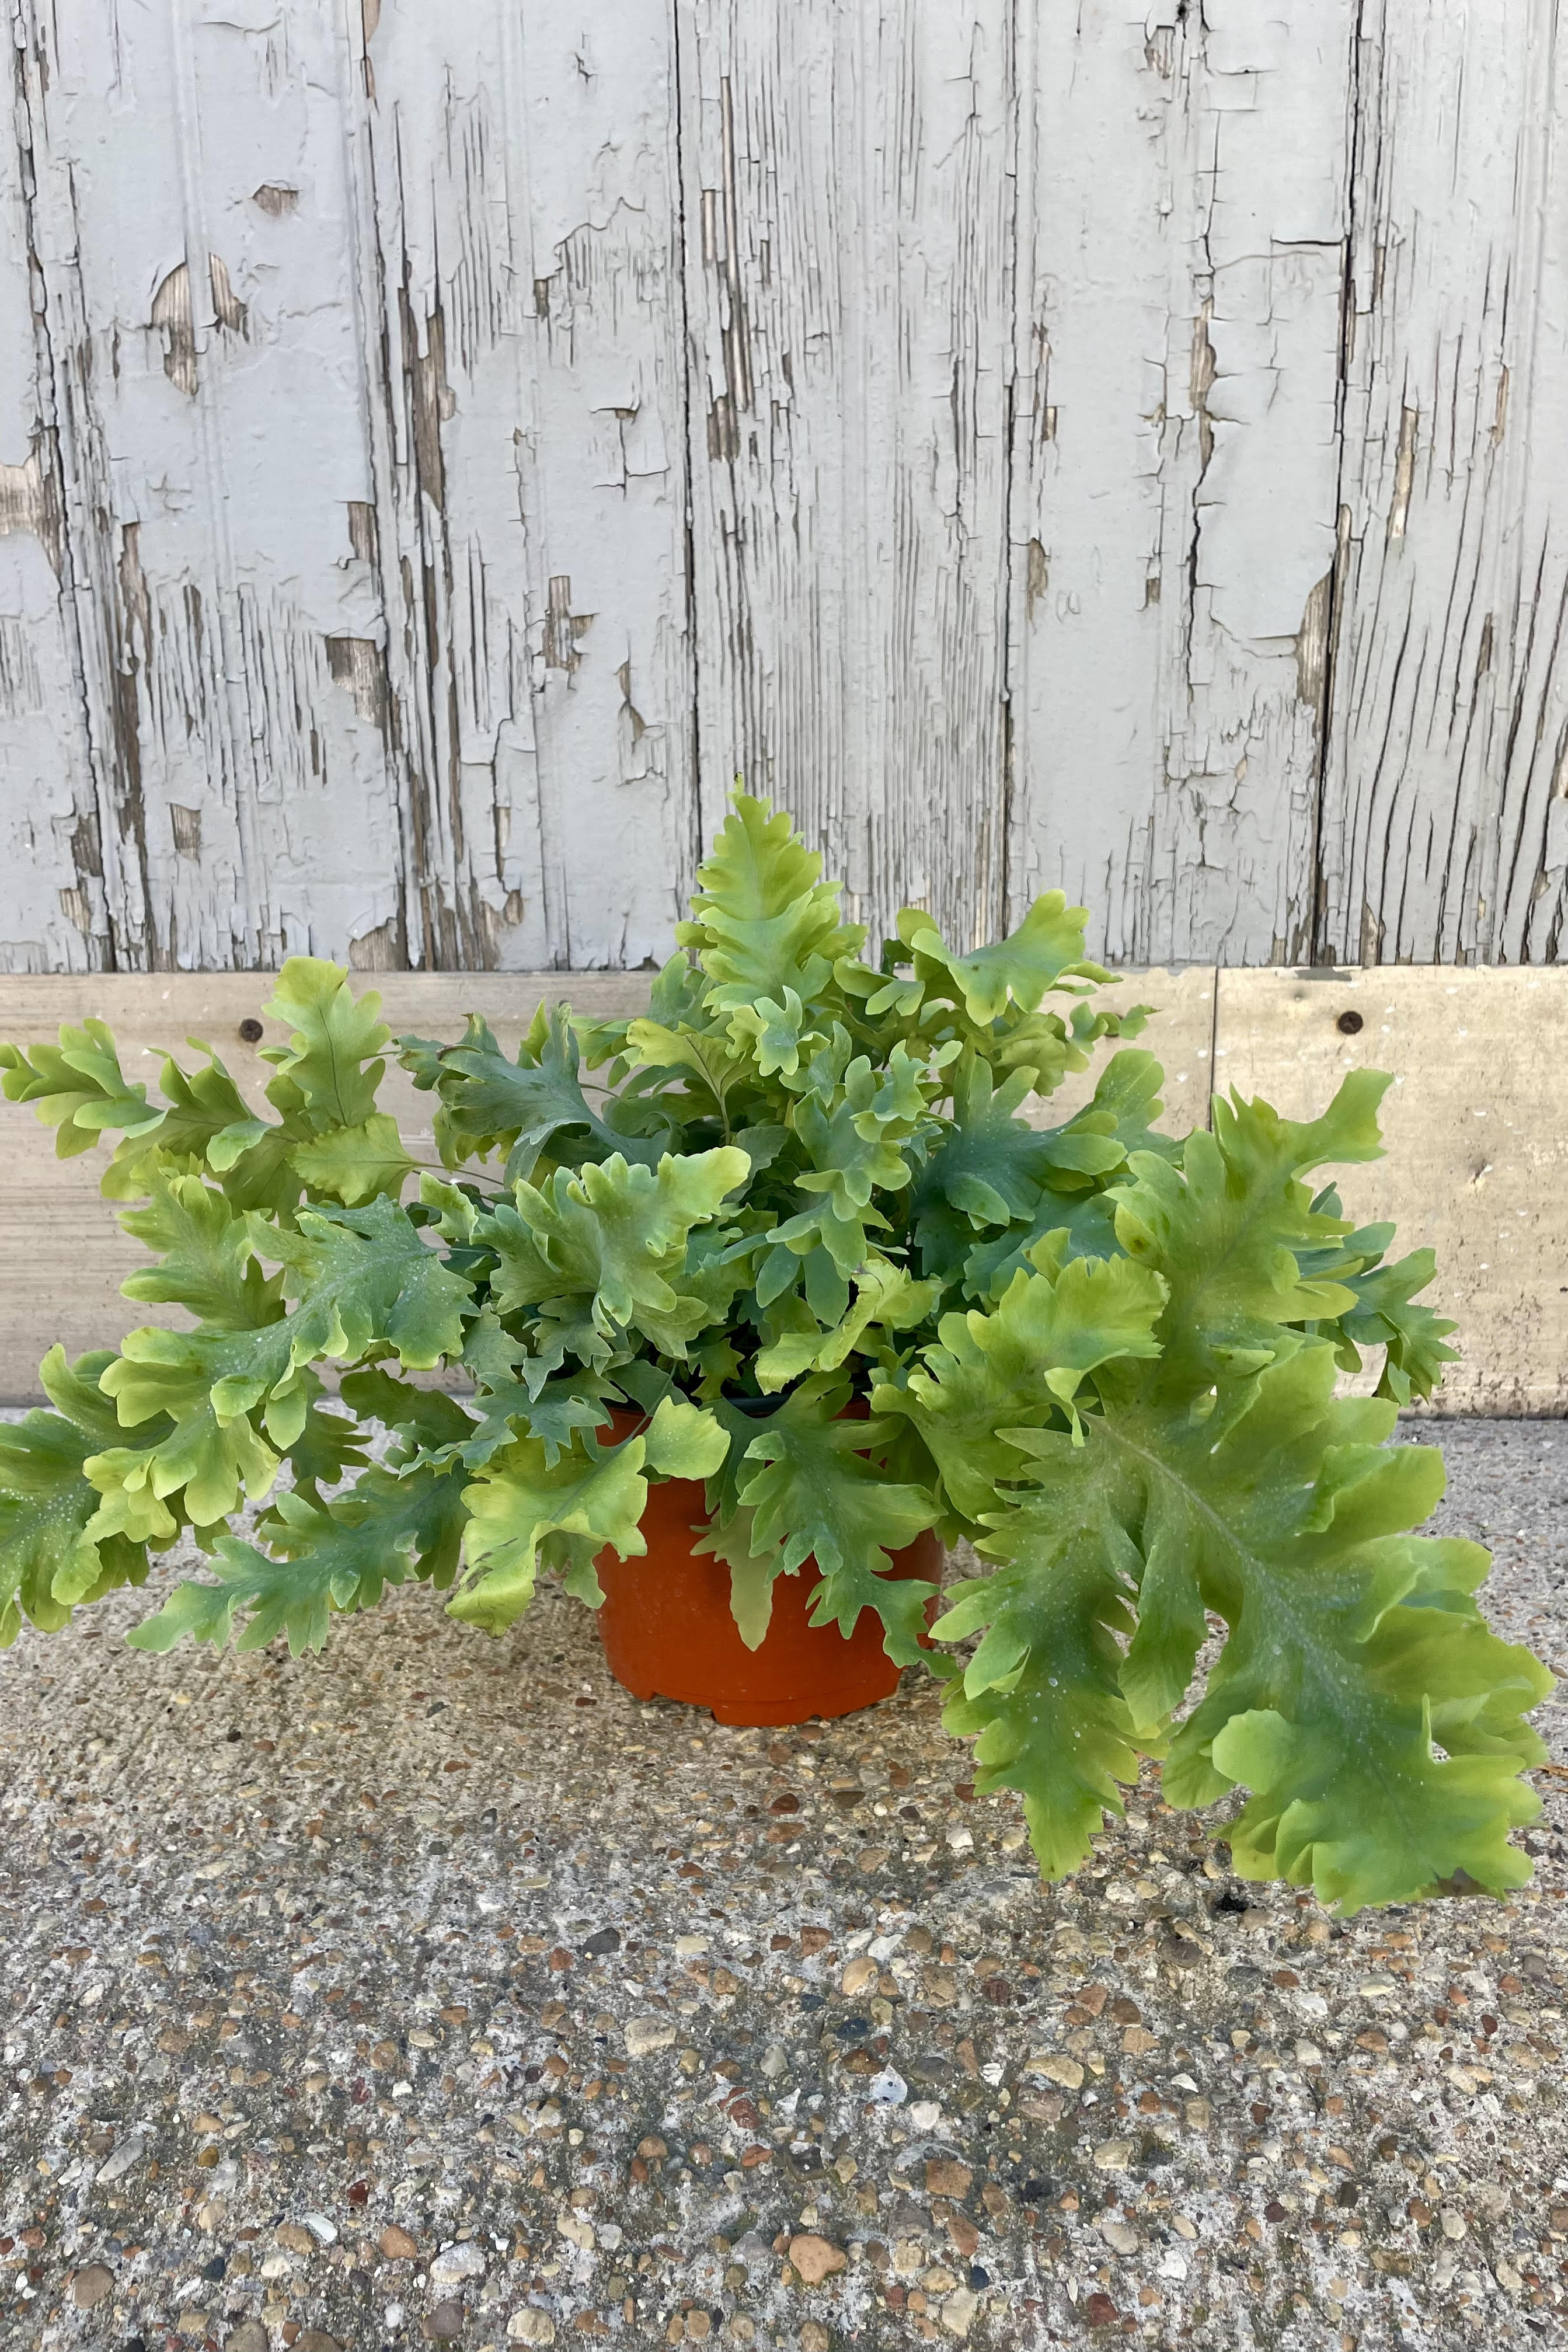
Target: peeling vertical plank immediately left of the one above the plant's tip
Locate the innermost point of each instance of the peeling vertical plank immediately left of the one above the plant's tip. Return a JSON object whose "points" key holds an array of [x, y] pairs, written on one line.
{"points": [[518, 262]]}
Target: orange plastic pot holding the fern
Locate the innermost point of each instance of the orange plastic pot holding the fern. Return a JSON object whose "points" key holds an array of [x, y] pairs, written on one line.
{"points": [[669, 1629]]}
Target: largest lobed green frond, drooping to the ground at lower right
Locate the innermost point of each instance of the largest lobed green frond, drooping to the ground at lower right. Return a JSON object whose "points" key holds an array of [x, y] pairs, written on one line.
{"points": [[1285, 1514]]}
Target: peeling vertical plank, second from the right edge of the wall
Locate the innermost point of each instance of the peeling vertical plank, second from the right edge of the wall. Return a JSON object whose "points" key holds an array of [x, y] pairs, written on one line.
{"points": [[1181, 218]]}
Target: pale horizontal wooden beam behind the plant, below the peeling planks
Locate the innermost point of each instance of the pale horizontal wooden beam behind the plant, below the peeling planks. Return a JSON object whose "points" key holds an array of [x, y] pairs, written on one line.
{"points": [[1477, 1161]]}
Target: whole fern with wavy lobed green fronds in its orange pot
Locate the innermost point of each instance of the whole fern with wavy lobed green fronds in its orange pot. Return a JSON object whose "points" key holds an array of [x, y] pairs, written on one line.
{"points": [[763, 1314]]}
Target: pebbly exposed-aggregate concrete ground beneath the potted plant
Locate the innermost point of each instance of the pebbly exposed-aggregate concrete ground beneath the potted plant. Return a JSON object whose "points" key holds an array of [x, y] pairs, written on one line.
{"points": [[438, 1991]]}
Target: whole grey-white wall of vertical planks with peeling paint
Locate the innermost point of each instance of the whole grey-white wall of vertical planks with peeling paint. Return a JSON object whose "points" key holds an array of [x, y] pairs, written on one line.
{"points": [[1111, 446]]}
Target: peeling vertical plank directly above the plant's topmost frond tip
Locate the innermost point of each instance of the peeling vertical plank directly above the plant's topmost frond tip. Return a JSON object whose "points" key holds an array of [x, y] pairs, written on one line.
{"points": [[847, 281]]}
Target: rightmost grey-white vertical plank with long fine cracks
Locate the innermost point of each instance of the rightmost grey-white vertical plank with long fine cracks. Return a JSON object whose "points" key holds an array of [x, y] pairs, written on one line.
{"points": [[1445, 829]]}
